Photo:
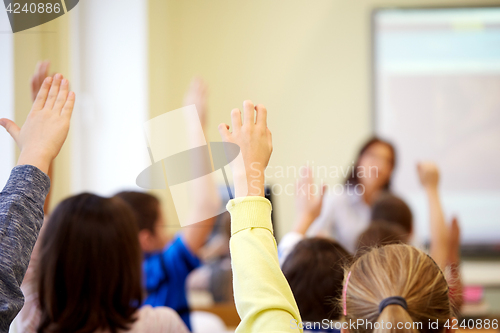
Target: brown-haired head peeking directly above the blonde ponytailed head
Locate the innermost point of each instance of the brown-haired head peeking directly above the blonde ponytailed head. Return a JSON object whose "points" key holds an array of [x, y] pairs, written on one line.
{"points": [[380, 233]]}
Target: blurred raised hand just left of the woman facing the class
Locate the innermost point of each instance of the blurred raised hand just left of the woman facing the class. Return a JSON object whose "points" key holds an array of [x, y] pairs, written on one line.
{"points": [[308, 201]]}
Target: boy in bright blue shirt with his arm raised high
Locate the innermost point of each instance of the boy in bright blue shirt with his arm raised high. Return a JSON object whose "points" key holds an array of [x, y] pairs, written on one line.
{"points": [[167, 263]]}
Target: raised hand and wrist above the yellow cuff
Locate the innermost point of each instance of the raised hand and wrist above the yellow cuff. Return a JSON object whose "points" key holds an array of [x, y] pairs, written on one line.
{"points": [[255, 142]]}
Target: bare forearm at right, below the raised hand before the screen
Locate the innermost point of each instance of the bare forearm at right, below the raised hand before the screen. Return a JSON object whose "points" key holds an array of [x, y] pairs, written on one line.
{"points": [[439, 231]]}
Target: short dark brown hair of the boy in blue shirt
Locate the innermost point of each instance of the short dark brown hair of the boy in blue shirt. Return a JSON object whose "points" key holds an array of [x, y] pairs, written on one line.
{"points": [[145, 207]]}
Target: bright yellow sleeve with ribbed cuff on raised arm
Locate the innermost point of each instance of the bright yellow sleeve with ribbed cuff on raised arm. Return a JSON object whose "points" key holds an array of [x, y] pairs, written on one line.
{"points": [[264, 300]]}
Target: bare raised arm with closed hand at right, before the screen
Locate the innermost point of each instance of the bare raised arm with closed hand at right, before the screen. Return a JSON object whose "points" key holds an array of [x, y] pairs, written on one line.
{"points": [[429, 177]]}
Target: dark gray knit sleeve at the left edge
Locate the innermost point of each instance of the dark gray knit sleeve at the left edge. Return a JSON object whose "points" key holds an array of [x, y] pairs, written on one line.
{"points": [[21, 217]]}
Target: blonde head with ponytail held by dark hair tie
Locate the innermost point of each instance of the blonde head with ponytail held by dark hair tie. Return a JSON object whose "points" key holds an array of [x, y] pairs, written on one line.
{"points": [[395, 288]]}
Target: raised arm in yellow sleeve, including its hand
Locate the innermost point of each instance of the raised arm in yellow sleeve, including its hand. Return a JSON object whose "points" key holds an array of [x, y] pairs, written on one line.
{"points": [[263, 297]]}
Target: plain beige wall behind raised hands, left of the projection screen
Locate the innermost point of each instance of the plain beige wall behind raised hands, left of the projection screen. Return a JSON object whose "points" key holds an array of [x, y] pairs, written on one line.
{"points": [[307, 61]]}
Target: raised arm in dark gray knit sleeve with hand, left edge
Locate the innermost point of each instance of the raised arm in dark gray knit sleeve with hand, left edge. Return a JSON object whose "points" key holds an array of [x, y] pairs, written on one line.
{"points": [[21, 201]]}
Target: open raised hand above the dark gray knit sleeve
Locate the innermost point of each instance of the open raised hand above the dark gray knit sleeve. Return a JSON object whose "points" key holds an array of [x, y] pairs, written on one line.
{"points": [[46, 126]]}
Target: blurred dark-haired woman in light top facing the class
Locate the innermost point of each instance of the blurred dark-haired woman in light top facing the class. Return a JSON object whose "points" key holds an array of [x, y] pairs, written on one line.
{"points": [[346, 215]]}
